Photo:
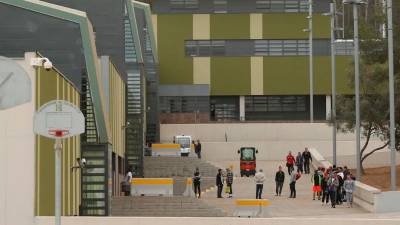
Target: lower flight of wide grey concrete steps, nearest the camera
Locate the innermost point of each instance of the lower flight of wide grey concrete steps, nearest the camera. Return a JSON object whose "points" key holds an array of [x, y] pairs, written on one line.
{"points": [[176, 206]]}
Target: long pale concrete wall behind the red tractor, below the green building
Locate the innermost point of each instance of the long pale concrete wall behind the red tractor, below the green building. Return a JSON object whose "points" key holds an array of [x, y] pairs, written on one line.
{"points": [[273, 140]]}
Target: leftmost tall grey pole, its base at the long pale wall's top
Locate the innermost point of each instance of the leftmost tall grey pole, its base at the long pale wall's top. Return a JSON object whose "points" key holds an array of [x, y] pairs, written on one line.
{"points": [[311, 75]]}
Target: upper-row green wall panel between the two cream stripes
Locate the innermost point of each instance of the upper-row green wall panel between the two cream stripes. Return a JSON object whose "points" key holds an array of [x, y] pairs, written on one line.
{"points": [[230, 26]]}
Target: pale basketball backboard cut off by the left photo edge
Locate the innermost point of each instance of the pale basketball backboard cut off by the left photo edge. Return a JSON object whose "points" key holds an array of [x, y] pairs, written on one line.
{"points": [[15, 84]]}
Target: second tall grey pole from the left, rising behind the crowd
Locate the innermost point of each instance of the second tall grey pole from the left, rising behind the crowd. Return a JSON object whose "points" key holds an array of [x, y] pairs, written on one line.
{"points": [[333, 70]]}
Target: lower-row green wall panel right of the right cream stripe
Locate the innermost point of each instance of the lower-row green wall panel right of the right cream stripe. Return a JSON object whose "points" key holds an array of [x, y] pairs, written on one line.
{"points": [[289, 75]]}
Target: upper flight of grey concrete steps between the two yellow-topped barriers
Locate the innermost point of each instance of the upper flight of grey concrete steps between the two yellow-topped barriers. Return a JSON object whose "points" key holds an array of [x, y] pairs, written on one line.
{"points": [[177, 167]]}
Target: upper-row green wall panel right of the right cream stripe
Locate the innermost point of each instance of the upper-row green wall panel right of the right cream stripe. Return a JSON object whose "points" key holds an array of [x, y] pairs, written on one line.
{"points": [[290, 26]]}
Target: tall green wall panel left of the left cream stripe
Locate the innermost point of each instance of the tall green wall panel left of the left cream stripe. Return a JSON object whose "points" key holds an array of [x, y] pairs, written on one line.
{"points": [[172, 32]]}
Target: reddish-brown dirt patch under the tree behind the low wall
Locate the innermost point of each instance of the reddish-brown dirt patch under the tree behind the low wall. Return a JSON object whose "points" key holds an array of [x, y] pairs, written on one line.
{"points": [[379, 177]]}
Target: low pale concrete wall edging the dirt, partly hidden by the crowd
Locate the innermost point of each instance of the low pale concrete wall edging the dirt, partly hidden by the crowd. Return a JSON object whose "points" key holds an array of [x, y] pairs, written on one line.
{"points": [[367, 197]]}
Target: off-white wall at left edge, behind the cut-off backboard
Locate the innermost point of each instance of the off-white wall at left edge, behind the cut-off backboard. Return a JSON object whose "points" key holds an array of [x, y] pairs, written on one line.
{"points": [[17, 157]]}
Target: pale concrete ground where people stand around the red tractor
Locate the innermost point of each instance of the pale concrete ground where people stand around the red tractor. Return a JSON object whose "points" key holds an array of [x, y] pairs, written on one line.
{"points": [[281, 206]]}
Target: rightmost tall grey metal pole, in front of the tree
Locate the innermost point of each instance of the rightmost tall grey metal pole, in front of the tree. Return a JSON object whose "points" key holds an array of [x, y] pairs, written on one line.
{"points": [[391, 97]]}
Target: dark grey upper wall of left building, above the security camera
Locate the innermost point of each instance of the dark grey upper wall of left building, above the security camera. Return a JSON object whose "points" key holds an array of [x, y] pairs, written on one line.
{"points": [[59, 40]]}
